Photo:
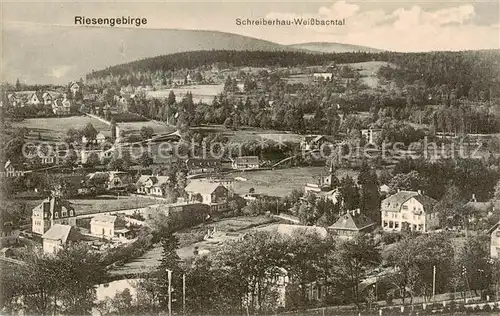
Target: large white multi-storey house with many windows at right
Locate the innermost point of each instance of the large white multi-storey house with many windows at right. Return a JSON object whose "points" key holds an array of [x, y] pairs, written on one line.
{"points": [[408, 208]]}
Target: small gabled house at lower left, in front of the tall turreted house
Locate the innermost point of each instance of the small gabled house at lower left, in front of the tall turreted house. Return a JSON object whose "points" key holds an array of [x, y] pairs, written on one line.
{"points": [[59, 236]]}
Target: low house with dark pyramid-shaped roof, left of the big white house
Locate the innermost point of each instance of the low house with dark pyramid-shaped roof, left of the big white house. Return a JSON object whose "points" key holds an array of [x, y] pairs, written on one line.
{"points": [[350, 224]]}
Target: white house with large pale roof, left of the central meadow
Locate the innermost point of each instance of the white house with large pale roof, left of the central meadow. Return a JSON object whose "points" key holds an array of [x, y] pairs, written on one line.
{"points": [[213, 194]]}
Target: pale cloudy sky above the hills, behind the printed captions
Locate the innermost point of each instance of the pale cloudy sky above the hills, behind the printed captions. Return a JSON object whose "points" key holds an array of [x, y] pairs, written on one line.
{"points": [[391, 25]]}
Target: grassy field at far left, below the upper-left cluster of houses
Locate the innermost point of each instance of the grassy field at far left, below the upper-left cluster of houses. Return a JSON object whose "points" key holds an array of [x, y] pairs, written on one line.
{"points": [[53, 128]]}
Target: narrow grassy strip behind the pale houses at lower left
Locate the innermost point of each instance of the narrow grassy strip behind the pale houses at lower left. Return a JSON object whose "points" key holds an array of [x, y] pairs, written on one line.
{"points": [[103, 204]]}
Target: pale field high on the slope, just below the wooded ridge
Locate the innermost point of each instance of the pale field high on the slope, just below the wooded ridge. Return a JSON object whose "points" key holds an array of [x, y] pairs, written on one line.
{"points": [[203, 93]]}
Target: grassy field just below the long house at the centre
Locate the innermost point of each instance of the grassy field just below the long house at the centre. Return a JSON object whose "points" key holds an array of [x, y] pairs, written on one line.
{"points": [[281, 182]]}
